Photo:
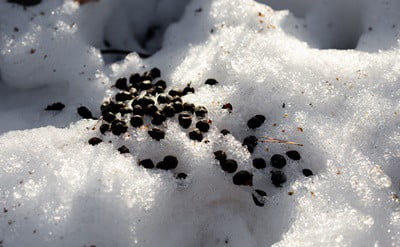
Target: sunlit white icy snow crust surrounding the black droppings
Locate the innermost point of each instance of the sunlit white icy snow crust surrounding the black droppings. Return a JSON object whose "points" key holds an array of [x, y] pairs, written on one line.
{"points": [[343, 105]]}
